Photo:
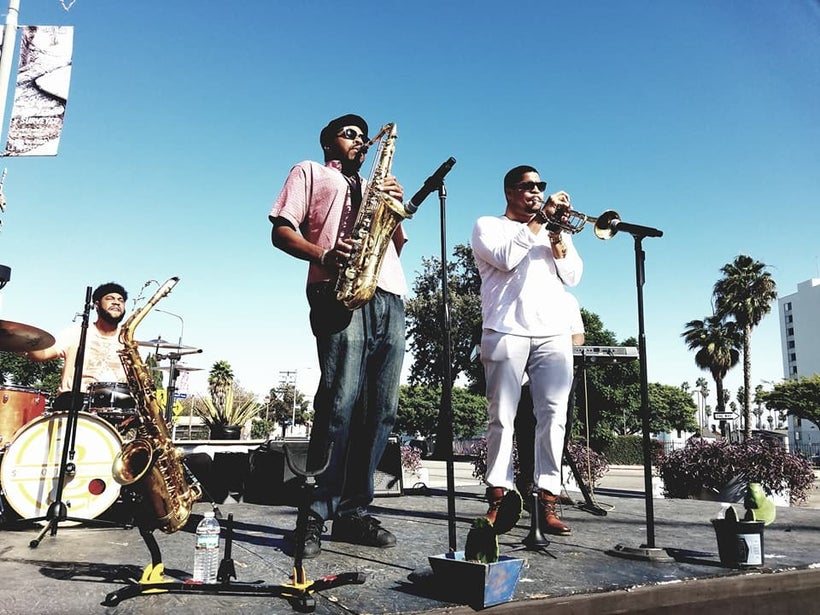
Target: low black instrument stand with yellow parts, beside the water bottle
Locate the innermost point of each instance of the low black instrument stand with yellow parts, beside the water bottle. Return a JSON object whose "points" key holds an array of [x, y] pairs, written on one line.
{"points": [[299, 592]]}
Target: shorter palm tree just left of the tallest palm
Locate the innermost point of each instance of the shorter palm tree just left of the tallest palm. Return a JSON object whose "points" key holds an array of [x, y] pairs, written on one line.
{"points": [[717, 345]]}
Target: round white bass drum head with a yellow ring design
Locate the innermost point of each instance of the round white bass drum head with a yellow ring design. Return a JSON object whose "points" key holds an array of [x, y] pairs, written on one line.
{"points": [[30, 469]]}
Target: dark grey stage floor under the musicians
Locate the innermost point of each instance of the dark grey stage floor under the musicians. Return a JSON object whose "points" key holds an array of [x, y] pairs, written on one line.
{"points": [[74, 570]]}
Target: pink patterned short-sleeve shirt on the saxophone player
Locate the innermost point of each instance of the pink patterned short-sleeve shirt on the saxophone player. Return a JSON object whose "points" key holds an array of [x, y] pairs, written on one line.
{"points": [[316, 200]]}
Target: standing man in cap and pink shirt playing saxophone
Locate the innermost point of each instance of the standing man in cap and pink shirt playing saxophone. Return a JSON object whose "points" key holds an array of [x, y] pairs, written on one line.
{"points": [[360, 351]]}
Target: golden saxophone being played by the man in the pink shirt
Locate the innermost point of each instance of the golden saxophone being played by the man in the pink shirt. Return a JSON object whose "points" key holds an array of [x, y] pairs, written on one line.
{"points": [[379, 215]]}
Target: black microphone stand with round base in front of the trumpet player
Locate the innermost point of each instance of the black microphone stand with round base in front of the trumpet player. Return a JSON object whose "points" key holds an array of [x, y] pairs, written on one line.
{"points": [[648, 551]]}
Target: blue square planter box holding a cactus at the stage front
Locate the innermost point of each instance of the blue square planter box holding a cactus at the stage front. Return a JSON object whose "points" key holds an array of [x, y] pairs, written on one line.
{"points": [[475, 584]]}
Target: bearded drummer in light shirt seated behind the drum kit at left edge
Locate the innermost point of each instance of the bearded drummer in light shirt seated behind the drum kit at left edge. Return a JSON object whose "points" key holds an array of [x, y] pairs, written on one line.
{"points": [[101, 361]]}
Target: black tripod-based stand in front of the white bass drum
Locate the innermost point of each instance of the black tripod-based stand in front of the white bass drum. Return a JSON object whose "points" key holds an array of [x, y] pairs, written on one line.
{"points": [[58, 509]]}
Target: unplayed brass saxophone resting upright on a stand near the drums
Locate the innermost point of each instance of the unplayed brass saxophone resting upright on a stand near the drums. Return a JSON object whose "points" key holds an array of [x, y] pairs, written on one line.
{"points": [[151, 457]]}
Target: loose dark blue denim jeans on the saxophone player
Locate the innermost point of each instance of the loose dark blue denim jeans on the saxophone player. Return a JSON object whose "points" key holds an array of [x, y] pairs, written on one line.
{"points": [[360, 358]]}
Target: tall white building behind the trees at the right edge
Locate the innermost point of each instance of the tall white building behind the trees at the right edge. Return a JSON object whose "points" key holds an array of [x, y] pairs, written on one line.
{"points": [[800, 341]]}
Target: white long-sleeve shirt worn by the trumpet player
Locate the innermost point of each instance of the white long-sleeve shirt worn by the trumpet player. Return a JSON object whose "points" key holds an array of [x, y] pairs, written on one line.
{"points": [[522, 284]]}
